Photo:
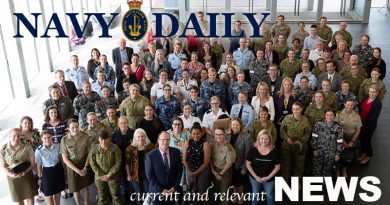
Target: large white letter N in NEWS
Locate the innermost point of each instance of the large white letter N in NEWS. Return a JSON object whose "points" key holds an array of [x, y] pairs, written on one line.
{"points": [[281, 185]]}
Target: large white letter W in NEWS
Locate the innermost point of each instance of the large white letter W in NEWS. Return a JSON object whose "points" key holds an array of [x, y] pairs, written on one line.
{"points": [[341, 183]]}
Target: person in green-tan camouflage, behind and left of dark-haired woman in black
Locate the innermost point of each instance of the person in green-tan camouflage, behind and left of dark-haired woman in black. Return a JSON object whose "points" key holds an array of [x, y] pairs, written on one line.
{"points": [[133, 106]]}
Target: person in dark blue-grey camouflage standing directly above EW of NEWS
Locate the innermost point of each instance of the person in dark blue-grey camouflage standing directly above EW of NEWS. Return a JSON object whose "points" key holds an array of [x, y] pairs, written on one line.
{"points": [[327, 142]]}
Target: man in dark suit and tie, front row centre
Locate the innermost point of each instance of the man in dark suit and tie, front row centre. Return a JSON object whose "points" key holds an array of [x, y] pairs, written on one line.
{"points": [[164, 169]]}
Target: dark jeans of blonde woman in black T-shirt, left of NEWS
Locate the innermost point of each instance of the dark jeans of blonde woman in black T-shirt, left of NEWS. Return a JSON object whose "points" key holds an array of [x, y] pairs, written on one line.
{"points": [[267, 187]]}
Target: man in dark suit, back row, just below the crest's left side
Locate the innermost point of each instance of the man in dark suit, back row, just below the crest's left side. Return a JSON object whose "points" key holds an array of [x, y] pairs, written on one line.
{"points": [[120, 55]]}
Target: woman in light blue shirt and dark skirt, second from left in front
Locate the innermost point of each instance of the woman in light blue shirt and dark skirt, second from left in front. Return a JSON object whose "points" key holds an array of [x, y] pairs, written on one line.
{"points": [[49, 168]]}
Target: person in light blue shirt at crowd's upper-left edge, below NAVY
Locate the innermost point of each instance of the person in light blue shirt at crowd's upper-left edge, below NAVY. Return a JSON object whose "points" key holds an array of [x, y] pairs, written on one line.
{"points": [[77, 74]]}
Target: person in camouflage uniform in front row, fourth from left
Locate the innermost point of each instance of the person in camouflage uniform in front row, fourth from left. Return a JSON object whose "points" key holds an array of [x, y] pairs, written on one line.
{"points": [[105, 160]]}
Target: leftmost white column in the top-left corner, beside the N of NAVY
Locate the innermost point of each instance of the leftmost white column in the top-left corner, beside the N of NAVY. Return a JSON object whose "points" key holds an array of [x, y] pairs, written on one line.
{"points": [[17, 66]]}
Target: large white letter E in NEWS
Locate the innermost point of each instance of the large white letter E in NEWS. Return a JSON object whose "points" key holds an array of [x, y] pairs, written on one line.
{"points": [[308, 187]]}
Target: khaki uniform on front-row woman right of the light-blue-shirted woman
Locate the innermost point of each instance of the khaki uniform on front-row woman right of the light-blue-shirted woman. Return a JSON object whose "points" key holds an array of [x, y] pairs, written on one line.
{"points": [[77, 151]]}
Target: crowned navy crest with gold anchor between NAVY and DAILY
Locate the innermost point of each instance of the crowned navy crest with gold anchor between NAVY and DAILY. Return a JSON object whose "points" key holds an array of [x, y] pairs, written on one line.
{"points": [[135, 22]]}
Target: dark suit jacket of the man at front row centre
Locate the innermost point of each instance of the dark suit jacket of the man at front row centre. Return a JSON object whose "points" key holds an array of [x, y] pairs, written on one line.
{"points": [[159, 178]]}
